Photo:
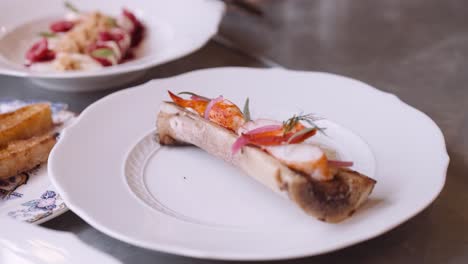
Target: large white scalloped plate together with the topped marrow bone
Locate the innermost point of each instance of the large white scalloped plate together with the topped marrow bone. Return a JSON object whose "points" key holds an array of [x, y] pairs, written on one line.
{"points": [[134, 183]]}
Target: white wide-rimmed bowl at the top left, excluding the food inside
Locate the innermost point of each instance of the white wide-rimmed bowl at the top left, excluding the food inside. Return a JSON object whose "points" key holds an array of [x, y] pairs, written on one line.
{"points": [[174, 28]]}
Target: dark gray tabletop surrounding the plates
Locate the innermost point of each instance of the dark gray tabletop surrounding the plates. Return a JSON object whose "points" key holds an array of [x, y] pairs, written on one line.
{"points": [[416, 49]]}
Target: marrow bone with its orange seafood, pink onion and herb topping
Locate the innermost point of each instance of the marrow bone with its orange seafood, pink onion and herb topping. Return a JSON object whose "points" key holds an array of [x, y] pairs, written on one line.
{"points": [[272, 152]]}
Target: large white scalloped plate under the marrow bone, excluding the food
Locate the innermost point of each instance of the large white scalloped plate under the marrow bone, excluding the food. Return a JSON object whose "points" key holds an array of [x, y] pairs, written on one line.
{"points": [[180, 200]]}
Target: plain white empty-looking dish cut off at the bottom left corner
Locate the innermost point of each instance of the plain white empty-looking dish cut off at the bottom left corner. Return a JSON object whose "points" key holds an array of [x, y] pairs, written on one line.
{"points": [[21, 243]]}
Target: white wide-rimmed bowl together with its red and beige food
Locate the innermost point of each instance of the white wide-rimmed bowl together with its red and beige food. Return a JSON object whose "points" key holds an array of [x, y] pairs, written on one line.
{"points": [[90, 45]]}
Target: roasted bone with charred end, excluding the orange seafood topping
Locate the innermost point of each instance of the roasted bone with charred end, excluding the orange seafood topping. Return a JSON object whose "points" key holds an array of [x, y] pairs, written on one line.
{"points": [[330, 201]]}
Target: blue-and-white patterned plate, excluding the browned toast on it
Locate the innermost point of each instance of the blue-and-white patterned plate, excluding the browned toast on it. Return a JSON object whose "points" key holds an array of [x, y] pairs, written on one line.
{"points": [[30, 197]]}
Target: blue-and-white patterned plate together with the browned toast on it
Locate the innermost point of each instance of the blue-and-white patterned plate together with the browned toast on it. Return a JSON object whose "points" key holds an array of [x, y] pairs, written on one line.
{"points": [[28, 131]]}
